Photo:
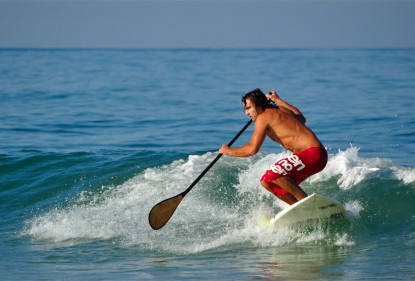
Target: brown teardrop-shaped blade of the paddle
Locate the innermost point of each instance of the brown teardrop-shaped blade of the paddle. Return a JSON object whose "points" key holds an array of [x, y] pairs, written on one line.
{"points": [[162, 212]]}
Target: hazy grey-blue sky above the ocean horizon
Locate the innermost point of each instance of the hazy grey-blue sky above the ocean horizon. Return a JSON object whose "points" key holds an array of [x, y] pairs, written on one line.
{"points": [[207, 24]]}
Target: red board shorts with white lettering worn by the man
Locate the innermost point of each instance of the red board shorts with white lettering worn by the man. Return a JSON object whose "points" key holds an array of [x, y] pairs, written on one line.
{"points": [[298, 166]]}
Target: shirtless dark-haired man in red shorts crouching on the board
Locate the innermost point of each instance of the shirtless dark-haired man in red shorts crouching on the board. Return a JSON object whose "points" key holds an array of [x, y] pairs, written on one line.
{"points": [[284, 124]]}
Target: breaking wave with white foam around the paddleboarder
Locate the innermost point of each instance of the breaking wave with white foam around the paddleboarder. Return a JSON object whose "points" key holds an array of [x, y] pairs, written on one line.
{"points": [[223, 208]]}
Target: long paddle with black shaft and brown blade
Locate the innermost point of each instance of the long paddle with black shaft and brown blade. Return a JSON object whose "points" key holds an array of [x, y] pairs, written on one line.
{"points": [[162, 212]]}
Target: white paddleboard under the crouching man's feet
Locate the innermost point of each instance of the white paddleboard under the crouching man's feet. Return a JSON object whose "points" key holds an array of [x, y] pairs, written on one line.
{"points": [[312, 208]]}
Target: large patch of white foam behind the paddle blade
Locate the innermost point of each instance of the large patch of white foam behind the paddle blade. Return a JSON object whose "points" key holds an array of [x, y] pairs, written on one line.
{"points": [[121, 212]]}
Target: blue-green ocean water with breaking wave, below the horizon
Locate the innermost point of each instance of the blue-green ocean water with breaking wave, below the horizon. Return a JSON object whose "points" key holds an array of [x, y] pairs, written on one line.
{"points": [[92, 139]]}
